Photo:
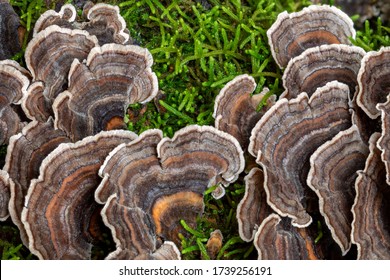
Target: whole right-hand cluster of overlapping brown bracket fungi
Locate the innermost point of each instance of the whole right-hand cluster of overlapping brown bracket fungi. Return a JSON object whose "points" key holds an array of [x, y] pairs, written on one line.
{"points": [[312, 144]]}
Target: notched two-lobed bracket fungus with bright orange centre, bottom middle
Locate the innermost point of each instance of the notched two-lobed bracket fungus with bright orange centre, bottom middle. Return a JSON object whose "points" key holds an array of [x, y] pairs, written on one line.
{"points": [[166, 178]]}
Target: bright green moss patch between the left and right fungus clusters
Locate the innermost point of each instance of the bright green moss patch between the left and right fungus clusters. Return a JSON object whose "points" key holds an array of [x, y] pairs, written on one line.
{"points": [[197, 49]]}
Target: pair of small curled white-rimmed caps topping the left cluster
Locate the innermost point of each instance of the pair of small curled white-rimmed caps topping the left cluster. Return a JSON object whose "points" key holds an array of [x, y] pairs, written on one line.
{"points": [[102, 20]]}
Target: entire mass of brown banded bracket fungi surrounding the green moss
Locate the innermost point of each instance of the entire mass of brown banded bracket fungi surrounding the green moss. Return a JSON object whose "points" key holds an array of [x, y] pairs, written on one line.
{"points": [[321, 151]]}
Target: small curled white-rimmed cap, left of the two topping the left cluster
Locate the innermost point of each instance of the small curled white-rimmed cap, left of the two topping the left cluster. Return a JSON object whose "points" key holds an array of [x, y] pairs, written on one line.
{"points": [[64, 18]]}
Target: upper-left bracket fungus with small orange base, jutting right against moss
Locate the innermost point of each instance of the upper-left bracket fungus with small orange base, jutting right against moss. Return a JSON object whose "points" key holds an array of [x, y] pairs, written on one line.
{"points": [[112, 77]]}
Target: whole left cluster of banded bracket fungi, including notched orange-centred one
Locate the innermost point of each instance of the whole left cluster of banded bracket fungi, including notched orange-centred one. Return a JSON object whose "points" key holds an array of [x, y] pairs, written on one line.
{"points": [[80, 77]]}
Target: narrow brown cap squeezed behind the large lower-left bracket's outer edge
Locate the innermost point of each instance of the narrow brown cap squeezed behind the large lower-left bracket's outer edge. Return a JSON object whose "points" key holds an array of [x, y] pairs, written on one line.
{"points": [[25, 154]]}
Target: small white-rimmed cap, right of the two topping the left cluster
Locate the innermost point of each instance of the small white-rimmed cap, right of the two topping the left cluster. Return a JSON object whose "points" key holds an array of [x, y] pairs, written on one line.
{"points": [[106, 23]]}
